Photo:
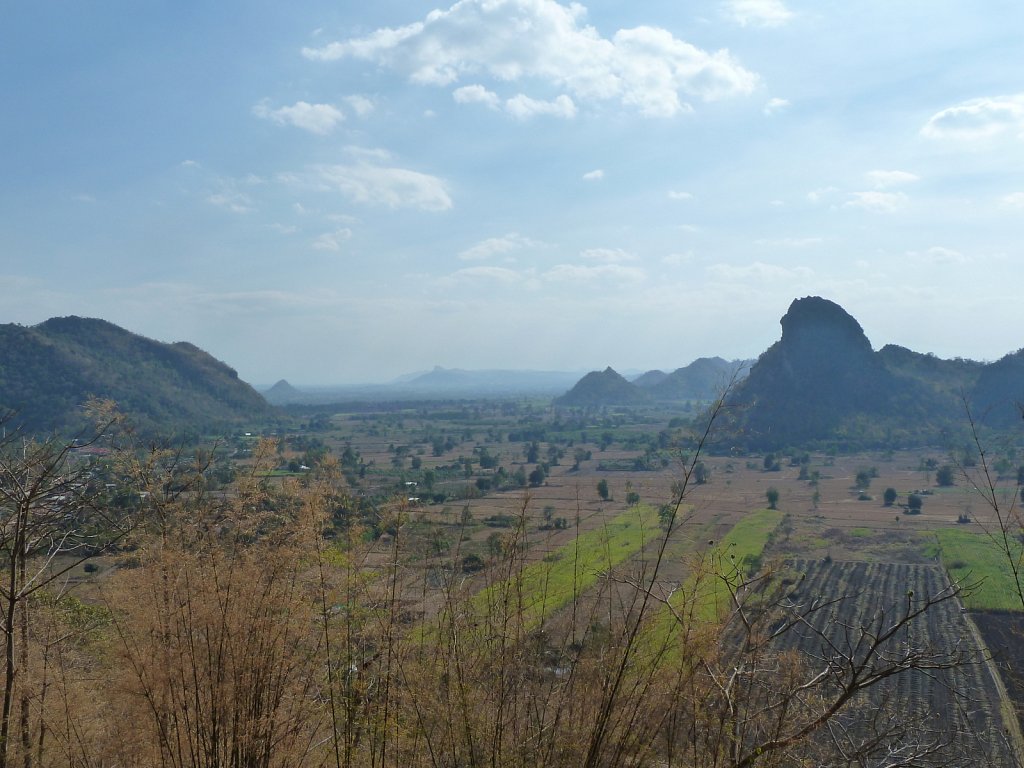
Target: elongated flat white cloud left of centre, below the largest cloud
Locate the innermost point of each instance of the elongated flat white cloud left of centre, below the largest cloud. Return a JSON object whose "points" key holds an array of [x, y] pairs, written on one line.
{"points": [[369, 182]]}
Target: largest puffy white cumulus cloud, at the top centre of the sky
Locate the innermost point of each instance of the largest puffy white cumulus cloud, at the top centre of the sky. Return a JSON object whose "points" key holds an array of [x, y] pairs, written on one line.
{"points": [[543, 41]]}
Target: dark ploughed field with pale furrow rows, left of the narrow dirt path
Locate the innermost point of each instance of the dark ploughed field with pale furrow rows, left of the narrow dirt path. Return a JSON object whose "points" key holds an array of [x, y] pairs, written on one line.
{"points": [[960, 706]]}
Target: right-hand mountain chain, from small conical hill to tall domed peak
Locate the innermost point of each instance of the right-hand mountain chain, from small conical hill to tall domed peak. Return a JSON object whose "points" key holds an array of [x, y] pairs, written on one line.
{"points": [[823, 381]]}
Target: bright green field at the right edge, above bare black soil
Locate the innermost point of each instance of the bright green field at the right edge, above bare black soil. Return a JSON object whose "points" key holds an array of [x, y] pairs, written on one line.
{"points": [[974, 559]]}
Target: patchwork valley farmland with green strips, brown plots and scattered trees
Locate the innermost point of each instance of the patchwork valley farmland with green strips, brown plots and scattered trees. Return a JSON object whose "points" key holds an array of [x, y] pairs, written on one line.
{"points": [[576, 497]]}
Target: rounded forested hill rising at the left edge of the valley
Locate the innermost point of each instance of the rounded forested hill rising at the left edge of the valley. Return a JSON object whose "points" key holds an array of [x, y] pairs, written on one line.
{"points": [[49, 371]]}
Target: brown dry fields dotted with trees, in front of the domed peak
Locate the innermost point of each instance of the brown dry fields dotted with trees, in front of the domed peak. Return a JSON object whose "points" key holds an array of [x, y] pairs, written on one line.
{"points": [[840, 526]]}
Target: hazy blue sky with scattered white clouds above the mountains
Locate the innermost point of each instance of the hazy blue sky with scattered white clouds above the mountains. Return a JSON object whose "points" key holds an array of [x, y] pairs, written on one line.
{"points": [[342, 193]]}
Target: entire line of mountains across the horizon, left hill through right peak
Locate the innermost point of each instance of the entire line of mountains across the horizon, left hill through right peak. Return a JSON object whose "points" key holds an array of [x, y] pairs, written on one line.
{"points": [[822, 381]]}
